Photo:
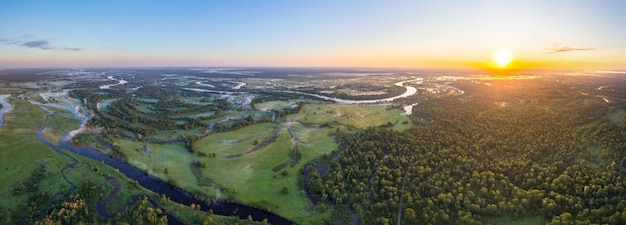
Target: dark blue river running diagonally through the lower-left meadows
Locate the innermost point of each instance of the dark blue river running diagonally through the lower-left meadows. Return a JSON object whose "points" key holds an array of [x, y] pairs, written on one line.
{"points": [[150, 182]]}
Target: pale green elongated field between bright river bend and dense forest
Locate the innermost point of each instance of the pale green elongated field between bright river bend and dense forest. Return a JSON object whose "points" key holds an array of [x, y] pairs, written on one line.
{"points": [[359, 116]]}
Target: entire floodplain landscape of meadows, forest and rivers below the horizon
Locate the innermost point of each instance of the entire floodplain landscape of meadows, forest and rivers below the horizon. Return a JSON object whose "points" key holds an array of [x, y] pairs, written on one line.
{"points": [[309, 146]]}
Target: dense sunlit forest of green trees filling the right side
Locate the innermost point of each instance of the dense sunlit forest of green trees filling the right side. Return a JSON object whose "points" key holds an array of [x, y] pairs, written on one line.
{"points": [[472, 158]]}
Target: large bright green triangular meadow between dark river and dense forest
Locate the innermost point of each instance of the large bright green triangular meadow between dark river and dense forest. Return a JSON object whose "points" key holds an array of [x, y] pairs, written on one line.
{"points": [[258, 185]]}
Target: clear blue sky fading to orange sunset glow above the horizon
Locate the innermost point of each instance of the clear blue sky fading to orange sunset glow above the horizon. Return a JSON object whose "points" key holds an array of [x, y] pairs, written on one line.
{"points": [[322, 33]]}
